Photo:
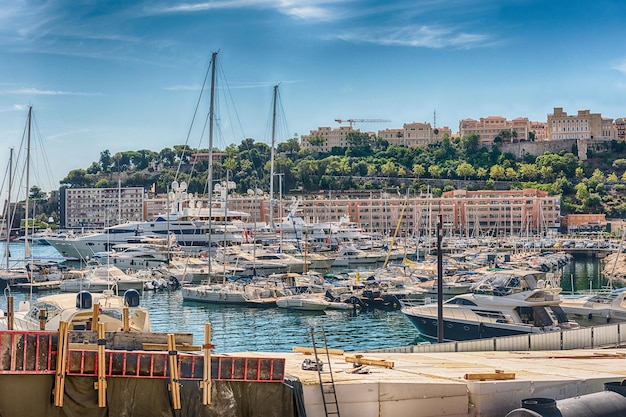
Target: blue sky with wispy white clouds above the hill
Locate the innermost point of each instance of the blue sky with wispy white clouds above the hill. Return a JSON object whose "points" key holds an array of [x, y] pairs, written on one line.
{"points": [[127, 75]]}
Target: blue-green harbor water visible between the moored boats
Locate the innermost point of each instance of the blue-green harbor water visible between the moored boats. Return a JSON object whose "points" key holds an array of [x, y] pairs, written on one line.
{"points": [[240, 329]]}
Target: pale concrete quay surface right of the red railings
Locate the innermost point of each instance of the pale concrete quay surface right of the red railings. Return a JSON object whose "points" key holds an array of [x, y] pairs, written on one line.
{"points": [[442, 384]]}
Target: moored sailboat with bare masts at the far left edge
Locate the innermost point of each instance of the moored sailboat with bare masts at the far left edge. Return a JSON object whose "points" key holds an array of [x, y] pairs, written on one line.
{"points": [[26, 270]]}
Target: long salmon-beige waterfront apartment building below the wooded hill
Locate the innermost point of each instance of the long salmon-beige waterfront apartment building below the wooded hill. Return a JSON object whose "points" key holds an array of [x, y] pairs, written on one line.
{"points": [[464, 213]]}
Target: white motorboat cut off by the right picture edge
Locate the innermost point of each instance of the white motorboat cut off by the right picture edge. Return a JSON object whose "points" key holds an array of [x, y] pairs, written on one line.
{"points": [[600, 308]]}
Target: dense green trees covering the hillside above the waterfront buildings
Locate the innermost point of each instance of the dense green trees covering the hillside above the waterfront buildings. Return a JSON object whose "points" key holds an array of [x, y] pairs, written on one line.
{"points": [[370, 163]]}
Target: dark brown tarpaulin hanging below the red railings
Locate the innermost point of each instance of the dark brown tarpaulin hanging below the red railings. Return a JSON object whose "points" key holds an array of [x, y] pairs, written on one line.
{"points": [[31, 395]]}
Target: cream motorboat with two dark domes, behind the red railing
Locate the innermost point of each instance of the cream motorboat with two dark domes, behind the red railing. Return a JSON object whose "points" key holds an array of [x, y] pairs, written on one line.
{"points": [[77, 310]]}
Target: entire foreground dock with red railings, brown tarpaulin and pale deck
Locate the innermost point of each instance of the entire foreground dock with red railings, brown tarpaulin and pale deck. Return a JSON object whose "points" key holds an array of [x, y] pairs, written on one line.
{"points": [[367, 384]]}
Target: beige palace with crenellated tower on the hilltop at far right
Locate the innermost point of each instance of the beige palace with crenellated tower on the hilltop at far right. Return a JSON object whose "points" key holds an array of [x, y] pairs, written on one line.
{"points": [[584, 125]]}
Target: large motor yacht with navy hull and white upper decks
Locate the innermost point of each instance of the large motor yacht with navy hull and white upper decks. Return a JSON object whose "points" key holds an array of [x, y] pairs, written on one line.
{"points": [[501, 303]]}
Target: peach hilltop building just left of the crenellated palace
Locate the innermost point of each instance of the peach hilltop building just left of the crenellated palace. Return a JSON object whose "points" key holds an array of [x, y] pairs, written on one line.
{"points": [[489, 128]]}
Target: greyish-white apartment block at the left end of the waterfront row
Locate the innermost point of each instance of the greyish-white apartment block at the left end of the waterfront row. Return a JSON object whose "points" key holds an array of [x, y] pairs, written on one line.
{"points": [[94, 208]]}
